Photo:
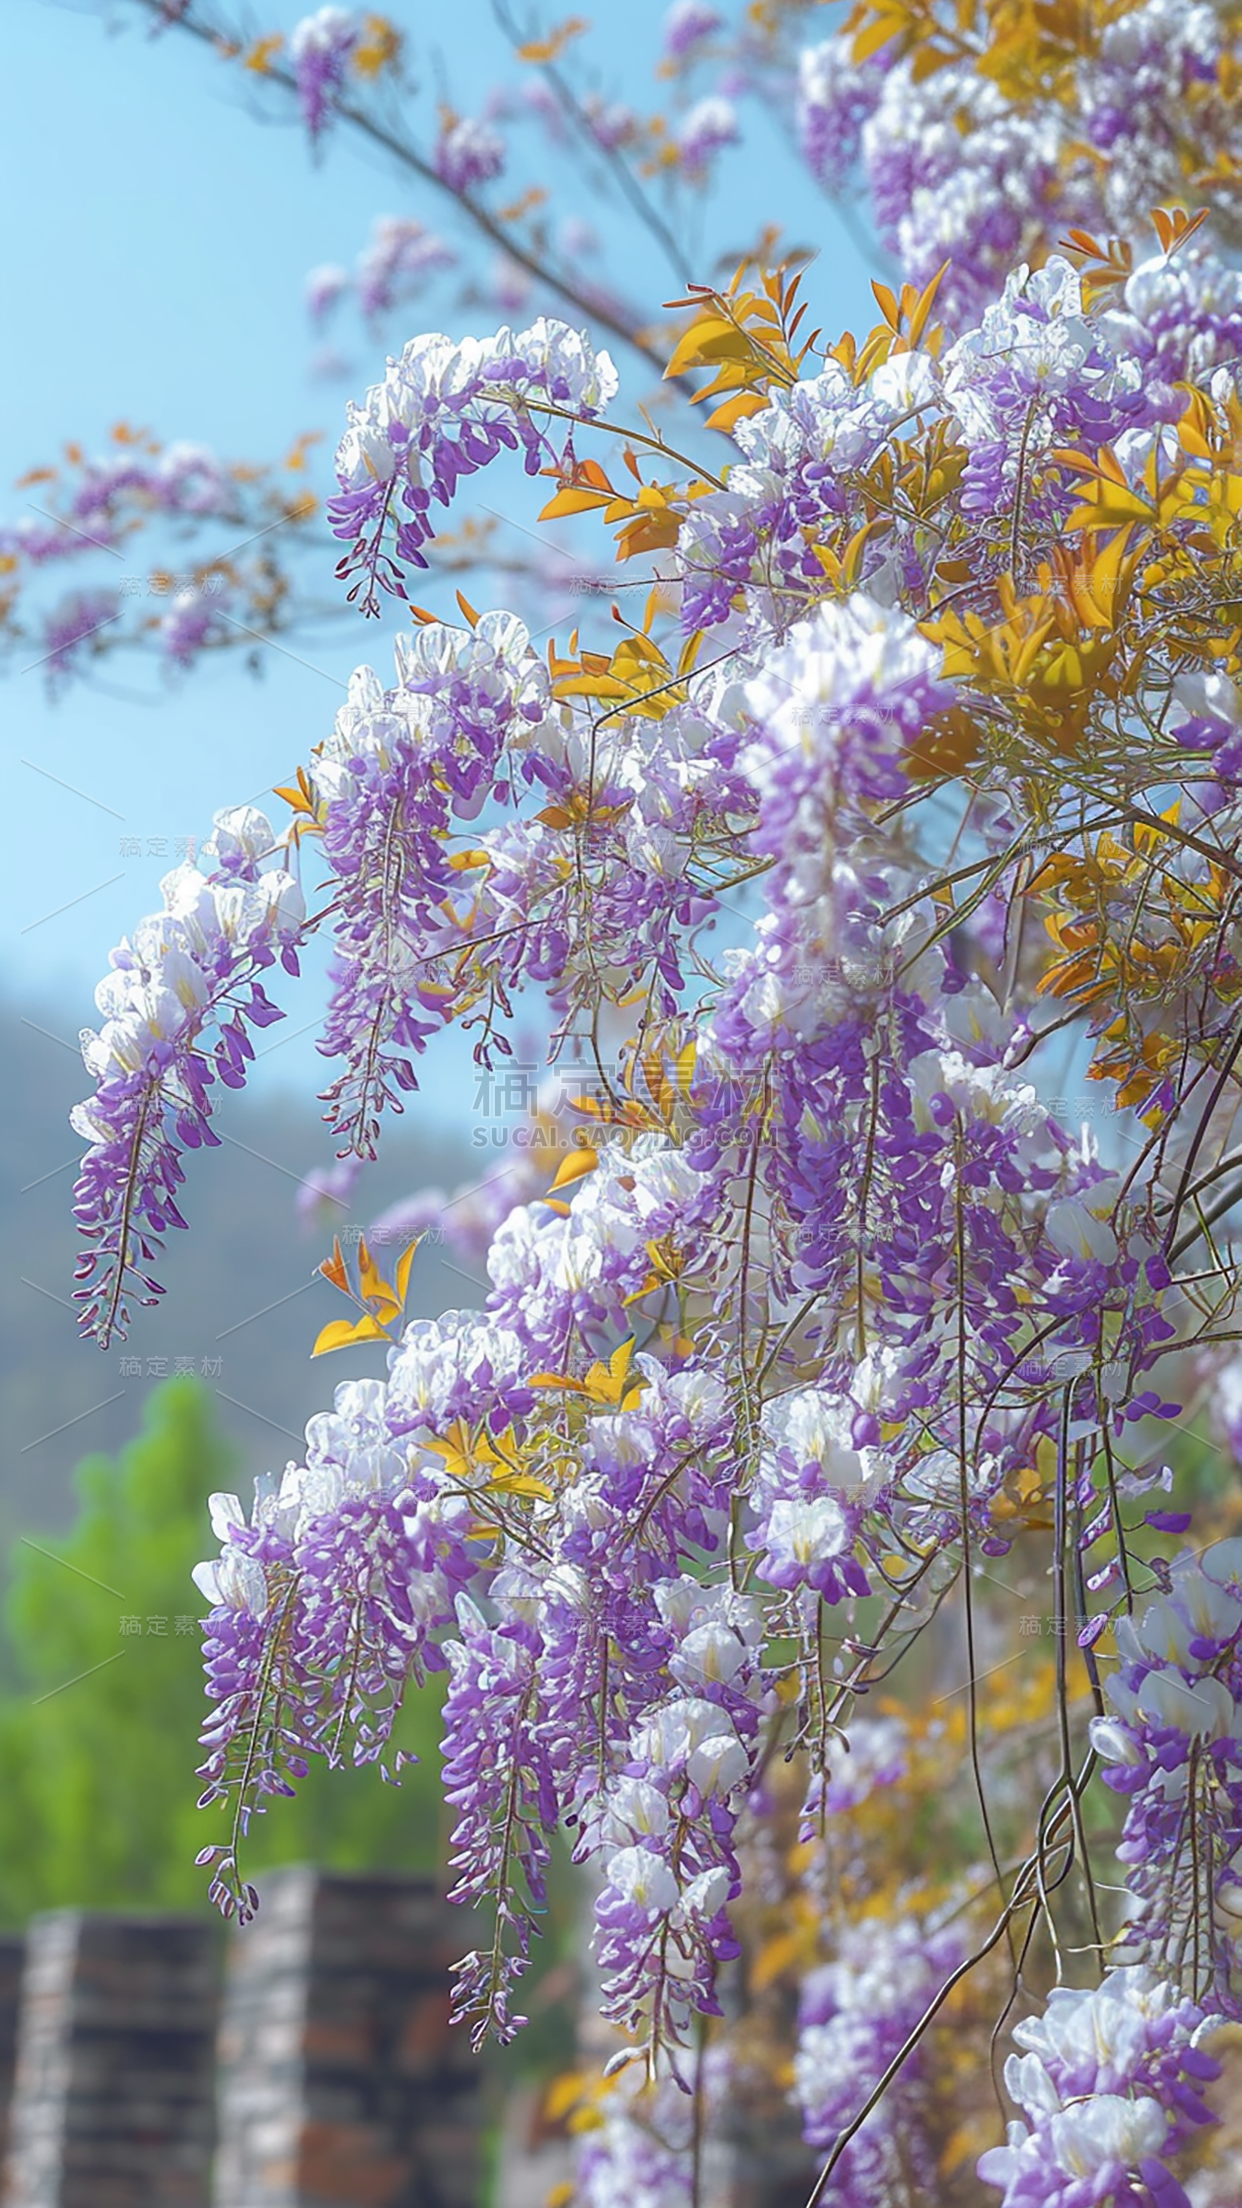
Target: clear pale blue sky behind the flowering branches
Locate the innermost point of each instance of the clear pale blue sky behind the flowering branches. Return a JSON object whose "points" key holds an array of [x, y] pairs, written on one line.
{"points": [[154, 268]]}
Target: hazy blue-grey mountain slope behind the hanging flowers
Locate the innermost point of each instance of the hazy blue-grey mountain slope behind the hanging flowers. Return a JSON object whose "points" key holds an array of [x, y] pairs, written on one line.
{"points": [[244, 1302]]}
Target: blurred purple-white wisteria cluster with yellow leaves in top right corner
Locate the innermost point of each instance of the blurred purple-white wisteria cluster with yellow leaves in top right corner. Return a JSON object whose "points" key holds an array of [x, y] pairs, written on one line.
{"points": [[989, 131]]}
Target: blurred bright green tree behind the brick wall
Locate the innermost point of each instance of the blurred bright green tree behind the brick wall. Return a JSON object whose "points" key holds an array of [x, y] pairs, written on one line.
{"points": [[105, 1697]]}
